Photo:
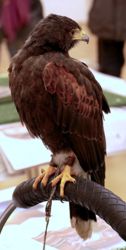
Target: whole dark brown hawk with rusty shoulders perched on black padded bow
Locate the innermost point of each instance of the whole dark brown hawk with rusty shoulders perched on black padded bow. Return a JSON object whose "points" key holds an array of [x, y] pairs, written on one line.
{"points": [[60, 101]]}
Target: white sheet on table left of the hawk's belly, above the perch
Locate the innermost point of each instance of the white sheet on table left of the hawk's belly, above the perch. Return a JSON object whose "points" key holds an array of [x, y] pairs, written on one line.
{"points": [[20, 151]]}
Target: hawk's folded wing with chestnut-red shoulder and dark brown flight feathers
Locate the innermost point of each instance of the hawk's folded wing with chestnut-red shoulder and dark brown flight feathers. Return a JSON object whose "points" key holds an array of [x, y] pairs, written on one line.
{"points": [[78, 102]]}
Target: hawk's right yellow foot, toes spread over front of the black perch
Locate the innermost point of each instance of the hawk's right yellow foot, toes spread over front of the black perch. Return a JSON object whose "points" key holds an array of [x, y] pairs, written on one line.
{"points": [[64, 177]]}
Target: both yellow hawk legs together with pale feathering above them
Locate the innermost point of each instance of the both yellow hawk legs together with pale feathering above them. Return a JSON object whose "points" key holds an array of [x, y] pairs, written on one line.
{"points": [[65, 161]]}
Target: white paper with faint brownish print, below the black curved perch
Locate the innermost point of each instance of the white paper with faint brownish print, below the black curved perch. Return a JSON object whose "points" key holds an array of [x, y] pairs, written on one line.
{"points": [[26, 227]]}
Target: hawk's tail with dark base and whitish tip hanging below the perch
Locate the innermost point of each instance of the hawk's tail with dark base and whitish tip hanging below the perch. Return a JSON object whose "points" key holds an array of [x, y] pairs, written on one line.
{"points": [[81, 220]]}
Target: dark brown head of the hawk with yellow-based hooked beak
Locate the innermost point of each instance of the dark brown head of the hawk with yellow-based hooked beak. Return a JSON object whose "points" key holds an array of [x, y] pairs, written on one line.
{"points": [[56, 33]]}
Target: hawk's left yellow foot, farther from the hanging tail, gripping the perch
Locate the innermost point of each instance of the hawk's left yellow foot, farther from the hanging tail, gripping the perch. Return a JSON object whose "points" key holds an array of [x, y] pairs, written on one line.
{"points": [[44, 176]]}
